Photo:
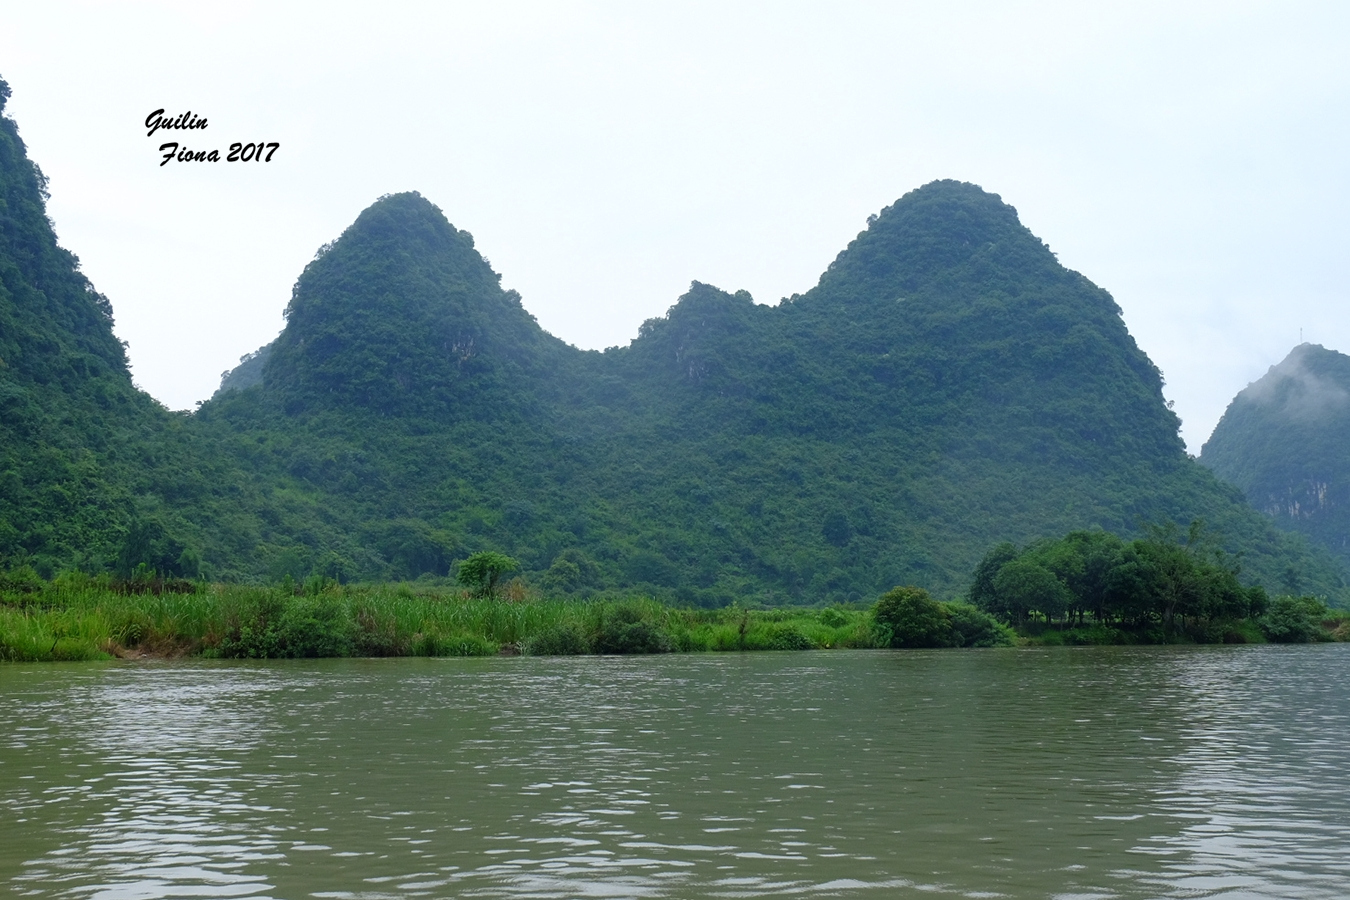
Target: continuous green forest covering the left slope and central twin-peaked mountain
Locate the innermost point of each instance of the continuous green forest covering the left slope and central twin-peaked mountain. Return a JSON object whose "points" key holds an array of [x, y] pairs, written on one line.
{"points": [[946, 387]]}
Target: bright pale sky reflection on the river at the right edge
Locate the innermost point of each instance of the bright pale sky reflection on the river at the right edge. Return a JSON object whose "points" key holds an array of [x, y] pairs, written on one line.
{"points": [[1260, 799]]}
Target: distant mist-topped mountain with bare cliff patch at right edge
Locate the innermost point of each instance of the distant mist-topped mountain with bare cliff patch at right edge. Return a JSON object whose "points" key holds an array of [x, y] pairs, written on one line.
{"points": [[1286, 442]]}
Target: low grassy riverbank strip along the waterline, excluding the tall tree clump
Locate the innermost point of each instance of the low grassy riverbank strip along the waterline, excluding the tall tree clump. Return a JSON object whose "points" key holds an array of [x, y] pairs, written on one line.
{"points": [[78, 617]]}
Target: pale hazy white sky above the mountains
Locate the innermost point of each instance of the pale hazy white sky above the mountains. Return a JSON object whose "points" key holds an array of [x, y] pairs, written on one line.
{"points": [[1190, 159]]}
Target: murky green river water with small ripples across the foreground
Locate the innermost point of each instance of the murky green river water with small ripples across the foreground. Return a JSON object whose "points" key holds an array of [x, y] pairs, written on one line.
{"points": [[1105, 772]]}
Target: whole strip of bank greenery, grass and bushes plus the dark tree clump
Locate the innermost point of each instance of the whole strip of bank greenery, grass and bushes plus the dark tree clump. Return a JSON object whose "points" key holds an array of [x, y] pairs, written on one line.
{"points": [[1151, 590]]}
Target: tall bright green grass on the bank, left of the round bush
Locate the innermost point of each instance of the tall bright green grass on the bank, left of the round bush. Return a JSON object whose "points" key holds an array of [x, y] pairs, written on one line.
{"points": [[80, 619]]}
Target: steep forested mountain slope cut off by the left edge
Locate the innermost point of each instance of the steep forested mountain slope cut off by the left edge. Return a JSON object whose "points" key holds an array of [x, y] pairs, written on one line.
{"points": [[94, 473]]}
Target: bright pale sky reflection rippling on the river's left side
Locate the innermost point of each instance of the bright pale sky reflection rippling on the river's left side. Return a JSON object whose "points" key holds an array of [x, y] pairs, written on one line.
{"points": [[167, 795]]}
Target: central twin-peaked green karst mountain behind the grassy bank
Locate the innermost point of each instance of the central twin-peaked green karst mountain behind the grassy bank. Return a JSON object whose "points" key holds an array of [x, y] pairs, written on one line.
{"points": [[947, 385]]}
